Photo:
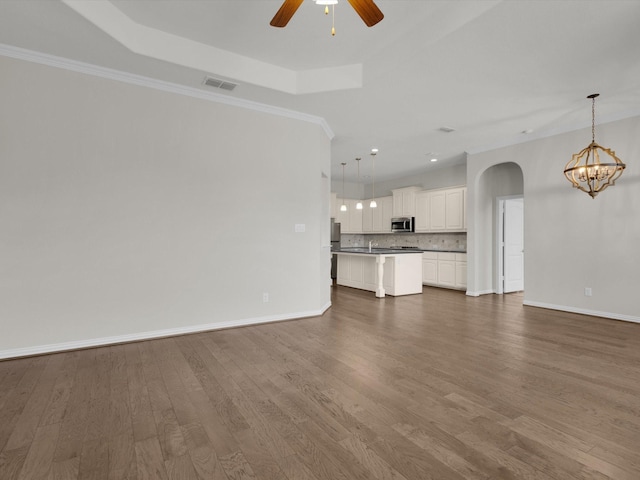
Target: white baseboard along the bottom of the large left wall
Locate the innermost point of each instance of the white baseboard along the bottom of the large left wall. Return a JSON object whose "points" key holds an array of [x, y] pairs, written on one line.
{"points": [[170, 332]]}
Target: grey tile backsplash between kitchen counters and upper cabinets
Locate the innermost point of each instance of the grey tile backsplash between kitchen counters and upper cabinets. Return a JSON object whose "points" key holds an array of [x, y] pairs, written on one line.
{"points": [[456, 242]]}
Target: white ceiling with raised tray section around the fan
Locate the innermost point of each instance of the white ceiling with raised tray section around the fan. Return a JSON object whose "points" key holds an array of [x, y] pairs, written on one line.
{"points": [[488, 69]]}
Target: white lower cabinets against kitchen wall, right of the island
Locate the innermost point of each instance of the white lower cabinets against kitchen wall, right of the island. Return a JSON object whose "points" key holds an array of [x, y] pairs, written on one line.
{"points": [[445, 269]]}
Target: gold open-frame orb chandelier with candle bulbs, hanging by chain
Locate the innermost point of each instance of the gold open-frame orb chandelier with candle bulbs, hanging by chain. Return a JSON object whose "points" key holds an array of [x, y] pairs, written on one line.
{"points": [[593, 176]]}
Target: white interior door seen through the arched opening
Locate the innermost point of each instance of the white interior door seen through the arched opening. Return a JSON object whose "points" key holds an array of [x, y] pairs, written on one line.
{"points": [[513, 245]]}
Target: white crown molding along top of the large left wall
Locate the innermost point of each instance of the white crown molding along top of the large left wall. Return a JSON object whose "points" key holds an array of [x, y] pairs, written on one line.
{"points": [[142, 81]]}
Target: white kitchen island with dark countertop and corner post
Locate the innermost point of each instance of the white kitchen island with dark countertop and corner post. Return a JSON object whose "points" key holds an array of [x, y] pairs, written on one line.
{"points": [[380, 270]]}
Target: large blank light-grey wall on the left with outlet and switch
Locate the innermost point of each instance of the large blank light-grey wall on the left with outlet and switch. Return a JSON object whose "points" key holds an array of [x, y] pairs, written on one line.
{"points": [[127, 211]]}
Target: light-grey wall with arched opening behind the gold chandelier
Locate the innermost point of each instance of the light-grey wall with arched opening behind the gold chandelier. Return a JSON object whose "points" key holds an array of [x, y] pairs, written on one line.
{"points": [[571, 240]]}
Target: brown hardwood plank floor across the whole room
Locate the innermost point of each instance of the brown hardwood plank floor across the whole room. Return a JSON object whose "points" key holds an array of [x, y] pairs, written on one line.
{"points": [[435, 386]]}
